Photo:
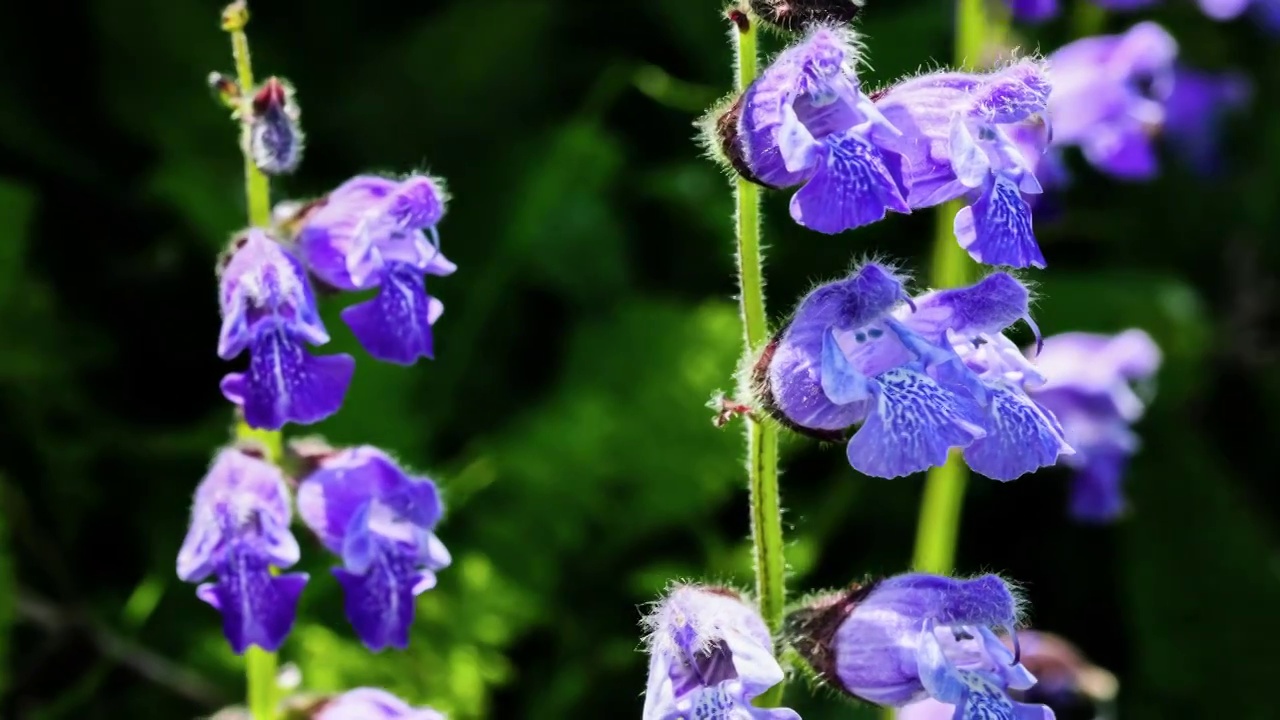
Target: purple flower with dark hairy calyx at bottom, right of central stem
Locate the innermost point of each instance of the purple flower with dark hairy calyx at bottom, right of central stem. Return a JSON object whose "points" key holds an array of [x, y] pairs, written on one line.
{"points": [[915, 637]]}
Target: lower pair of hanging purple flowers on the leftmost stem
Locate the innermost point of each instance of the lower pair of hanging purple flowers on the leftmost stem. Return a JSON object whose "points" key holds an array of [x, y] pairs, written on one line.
{"points": [[360, 504]]}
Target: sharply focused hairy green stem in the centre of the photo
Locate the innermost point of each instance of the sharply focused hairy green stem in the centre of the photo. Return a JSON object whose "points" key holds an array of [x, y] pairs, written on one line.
{"points": [[762, 439]]}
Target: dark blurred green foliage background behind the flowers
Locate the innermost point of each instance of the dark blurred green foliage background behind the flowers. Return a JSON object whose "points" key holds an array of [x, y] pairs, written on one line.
{"points": [[592, 318]]}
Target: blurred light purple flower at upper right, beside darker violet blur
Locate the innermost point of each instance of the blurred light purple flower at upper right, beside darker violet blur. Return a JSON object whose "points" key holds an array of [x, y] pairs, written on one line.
{"points": [[1109, 95]]}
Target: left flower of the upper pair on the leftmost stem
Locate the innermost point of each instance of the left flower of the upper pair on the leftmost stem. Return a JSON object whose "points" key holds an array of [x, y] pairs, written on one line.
{"points": [[269, 309]]}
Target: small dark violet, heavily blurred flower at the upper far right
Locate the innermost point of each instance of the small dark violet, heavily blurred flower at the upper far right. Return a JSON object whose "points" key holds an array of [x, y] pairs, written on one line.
{"points": [[1196, 108]]}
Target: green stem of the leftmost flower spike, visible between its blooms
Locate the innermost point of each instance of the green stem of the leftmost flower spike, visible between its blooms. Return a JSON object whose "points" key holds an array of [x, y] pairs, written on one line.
{"points": [[260, 666]]}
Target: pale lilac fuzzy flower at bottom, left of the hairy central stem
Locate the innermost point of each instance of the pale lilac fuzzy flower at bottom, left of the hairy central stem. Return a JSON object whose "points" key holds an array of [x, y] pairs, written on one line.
{"points": [[710, 655]]}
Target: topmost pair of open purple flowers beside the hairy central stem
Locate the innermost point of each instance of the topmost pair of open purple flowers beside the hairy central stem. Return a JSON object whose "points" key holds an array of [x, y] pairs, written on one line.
{"points": [[921, 143]]}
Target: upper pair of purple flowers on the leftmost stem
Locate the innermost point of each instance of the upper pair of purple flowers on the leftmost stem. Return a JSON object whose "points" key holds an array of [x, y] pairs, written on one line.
{"points": [[372, 233]]}
